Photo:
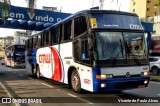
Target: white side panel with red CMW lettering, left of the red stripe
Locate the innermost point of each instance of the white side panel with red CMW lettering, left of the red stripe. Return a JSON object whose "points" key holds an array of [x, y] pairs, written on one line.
{"points": [[43, 57]]}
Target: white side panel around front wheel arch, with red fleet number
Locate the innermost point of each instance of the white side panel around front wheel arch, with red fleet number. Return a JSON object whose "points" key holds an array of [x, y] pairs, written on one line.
{"points": [[84, 72]]}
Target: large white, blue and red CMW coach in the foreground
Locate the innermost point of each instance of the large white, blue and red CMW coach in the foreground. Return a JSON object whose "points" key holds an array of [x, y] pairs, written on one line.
{"points": [[93, 50]]}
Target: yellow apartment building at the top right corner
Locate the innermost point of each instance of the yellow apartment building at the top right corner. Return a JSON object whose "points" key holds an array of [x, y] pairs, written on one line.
{"points": [[144, 8]]}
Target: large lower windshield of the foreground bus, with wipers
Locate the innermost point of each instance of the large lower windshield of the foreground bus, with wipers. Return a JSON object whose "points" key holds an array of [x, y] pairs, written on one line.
{"points": [[118, 45]]}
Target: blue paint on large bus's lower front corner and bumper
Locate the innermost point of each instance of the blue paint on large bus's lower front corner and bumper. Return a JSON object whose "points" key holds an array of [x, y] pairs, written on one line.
{"points": [[112, 83]]}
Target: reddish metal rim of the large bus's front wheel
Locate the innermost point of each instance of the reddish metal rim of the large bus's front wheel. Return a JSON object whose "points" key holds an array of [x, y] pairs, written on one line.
{"points": [[75, 81]]}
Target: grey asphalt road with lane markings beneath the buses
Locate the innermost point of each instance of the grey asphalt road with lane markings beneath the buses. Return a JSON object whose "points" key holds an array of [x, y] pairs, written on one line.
{"points": [[19, 84]]}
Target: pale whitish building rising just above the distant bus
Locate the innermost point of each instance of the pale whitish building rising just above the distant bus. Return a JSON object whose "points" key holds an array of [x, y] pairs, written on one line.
{"points": [[21, 36]]}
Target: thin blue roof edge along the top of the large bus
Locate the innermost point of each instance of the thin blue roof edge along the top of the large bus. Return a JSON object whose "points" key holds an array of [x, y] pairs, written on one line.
{"points": [[87, 12]]}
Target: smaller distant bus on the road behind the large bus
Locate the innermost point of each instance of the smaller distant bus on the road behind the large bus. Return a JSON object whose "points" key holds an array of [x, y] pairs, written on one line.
{"points": [[15, 55]]}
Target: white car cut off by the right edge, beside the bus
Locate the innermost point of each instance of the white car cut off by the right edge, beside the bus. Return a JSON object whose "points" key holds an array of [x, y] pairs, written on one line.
{"points": [[154, 65]]}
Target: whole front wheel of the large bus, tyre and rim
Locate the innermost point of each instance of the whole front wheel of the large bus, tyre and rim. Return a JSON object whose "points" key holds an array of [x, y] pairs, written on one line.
{"points": [[75, 82]]}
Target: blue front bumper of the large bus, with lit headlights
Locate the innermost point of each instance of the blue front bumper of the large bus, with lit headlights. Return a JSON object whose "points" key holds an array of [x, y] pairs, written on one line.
{"points": [[117, 84]]}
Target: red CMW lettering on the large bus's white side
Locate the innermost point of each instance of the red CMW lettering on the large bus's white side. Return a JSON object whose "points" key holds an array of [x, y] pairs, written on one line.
{"points": [[44, 58]]}
